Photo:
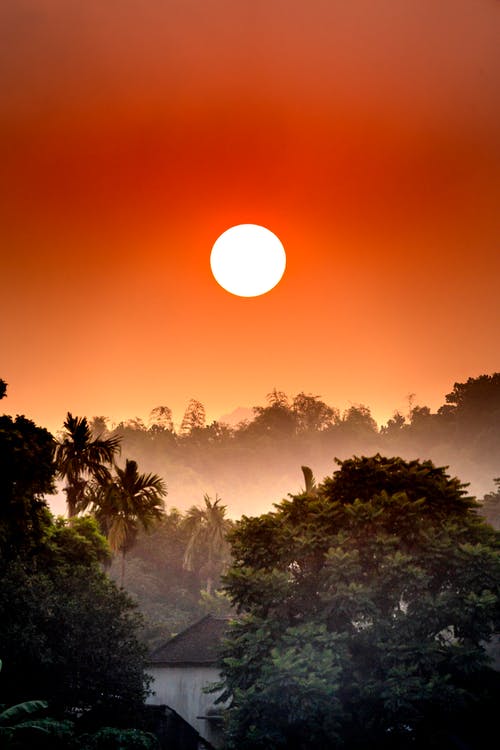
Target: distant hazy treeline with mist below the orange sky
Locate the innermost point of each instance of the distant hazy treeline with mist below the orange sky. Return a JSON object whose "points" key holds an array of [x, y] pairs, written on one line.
{"points": [[257, 462]]}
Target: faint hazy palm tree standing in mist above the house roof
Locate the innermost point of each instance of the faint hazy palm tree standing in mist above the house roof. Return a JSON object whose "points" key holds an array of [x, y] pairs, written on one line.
{"points": [[207, 528]]}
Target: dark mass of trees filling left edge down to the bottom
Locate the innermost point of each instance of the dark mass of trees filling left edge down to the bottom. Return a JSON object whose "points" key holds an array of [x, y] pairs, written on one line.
{"points": [[68, 636]]}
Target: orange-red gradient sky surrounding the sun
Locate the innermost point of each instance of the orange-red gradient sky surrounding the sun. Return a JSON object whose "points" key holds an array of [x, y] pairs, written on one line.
{"points": [[365, 134]]}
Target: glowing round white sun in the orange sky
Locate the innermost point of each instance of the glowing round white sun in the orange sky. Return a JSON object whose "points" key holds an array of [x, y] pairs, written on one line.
{"points": [[248, 260]]}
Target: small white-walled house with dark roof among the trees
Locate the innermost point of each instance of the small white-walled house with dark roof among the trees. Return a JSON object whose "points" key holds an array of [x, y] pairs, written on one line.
{"points": [[183, 667]]}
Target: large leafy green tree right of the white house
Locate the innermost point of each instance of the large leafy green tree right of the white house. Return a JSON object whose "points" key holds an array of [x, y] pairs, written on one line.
{"points": [[365, 608]]}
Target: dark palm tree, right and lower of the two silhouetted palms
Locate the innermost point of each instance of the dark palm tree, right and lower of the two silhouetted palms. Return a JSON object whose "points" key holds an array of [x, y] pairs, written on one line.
{"points": [[125, 502]]}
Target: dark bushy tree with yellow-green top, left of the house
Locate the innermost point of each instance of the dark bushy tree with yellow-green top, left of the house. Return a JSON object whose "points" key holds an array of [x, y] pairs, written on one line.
{"points": [[67, 634]]}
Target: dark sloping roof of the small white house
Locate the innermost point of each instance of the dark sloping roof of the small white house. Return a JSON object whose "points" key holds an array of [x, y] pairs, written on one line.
{"points": [[198, 644]]}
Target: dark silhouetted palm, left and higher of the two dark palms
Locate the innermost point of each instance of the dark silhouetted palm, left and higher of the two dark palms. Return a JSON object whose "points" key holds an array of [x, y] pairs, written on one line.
{"points": [[80, 457]]}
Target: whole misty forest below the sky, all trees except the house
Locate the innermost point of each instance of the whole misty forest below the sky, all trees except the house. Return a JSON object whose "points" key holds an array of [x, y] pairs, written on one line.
{"points": [[163, 526]]}
